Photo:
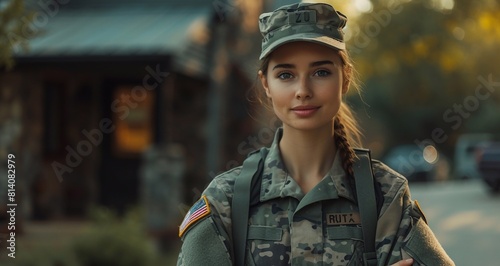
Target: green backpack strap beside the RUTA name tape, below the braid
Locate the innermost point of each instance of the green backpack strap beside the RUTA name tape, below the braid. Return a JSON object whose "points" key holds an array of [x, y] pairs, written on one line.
{"points": [[365, 192]]}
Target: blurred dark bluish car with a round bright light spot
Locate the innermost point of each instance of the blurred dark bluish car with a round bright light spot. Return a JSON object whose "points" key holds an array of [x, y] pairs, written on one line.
{"points": [[417, 164]]}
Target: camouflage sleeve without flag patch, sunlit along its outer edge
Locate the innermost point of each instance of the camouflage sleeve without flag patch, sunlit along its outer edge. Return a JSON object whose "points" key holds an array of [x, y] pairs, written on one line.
{"points": [[411, 236]]}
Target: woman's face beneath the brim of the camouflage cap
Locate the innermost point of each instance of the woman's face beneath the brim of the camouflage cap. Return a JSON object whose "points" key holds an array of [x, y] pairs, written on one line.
{"points": [[305, 83]]}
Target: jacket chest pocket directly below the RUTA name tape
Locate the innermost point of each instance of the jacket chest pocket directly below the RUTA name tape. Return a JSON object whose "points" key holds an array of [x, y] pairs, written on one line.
{"points": [[345, 243]]}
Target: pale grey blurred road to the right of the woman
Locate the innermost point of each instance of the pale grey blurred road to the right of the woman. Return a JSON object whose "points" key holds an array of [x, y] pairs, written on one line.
{"points": [[465, 218]]}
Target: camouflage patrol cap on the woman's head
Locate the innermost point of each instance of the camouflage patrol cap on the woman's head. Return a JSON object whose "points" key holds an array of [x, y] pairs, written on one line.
{"points": [[312, 22]]}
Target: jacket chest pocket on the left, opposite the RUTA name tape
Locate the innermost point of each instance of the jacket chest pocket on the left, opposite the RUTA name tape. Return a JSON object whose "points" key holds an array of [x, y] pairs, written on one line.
{"points": [[266, 245]]}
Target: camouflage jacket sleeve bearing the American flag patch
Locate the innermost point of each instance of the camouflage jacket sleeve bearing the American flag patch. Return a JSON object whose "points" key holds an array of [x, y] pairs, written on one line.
{"points": [[207, 241]]}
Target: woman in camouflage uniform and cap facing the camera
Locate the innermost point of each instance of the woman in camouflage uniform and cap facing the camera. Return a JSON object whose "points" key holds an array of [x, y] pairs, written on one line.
{"points": [[306, 210]]}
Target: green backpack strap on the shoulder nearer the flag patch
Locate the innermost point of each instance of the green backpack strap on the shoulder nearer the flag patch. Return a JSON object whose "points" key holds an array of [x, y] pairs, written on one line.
{"points": [[244, 184]]}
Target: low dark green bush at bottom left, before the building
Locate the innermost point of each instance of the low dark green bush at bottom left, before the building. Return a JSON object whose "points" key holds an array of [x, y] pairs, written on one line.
{"points": [[111, 241]]}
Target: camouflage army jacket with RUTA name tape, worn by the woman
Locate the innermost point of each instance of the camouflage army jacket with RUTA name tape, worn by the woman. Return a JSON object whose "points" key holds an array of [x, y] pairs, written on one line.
{"points": [[321, 227]]}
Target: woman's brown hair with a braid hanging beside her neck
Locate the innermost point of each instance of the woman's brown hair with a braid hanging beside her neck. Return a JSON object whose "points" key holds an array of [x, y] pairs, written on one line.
{"points": [[347, 132]]}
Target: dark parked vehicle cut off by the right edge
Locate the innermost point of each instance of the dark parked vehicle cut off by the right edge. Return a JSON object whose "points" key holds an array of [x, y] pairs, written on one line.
{"points": [[488, 160]]}
